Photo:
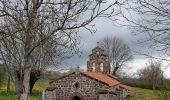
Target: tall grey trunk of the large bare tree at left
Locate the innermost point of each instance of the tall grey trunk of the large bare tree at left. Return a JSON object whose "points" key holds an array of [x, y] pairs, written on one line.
{"points": [[25, 94]]}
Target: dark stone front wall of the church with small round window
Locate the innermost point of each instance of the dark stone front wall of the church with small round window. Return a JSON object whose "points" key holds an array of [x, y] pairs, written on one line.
{"points": [[66, 86]]}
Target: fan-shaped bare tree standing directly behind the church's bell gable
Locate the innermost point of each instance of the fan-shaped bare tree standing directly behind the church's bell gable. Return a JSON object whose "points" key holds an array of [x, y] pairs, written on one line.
{"points": [[118, 52]]}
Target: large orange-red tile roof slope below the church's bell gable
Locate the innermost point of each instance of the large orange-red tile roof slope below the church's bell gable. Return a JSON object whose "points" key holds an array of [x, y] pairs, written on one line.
{"points": [[102, 77]]}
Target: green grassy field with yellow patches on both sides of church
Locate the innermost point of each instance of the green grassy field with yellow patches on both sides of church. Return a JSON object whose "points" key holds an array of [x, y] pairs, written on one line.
{"points": [[139, 93]]}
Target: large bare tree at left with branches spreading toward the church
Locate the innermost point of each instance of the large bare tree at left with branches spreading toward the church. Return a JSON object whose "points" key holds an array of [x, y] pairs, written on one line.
{"points": [[33, 33]]}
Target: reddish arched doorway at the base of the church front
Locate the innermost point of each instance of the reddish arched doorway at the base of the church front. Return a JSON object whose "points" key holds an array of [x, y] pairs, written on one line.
{"points": [[76, 96]]}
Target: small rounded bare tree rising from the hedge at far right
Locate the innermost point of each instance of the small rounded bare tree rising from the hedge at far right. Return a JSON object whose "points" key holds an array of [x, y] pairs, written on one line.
{"points": [[152, 74]]}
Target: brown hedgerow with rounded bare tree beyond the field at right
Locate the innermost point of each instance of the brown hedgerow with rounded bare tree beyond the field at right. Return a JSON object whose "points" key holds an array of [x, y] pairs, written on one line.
{"points": [[149, 77]]}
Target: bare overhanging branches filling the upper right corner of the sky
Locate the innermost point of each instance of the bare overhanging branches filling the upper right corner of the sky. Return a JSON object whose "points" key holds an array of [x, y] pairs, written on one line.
{"points": [[150, 19]]}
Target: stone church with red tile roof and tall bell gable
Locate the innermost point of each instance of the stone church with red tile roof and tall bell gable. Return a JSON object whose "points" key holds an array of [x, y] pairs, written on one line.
{"points": [[95, 84]]}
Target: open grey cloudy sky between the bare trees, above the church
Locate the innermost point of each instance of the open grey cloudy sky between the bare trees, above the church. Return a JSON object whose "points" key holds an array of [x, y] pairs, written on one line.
{"points": [[104, 28]]}
